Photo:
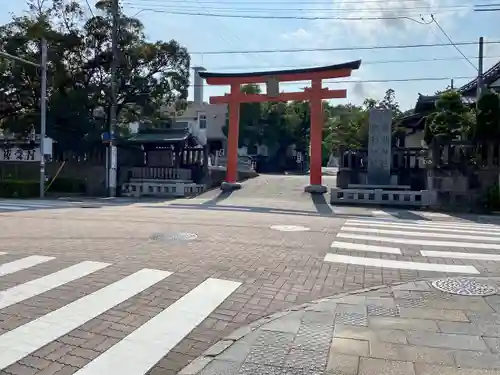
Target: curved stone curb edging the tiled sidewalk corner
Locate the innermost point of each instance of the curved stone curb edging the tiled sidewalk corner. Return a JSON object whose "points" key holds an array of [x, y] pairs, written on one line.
{"points": [[220, 346]]}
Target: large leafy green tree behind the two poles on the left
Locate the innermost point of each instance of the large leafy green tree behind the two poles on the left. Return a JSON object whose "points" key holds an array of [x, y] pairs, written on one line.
{"points": [[151, 74]]}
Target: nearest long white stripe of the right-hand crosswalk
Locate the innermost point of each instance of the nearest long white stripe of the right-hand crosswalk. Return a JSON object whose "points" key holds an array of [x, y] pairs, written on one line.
{"points": [[387, 263]]}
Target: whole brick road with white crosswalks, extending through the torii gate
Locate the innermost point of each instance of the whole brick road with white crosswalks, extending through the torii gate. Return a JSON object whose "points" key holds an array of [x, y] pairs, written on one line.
{"points": [[147, 287]]}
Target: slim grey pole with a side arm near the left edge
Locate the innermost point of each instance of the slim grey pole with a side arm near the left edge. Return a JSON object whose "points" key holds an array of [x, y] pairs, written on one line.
{"points": [[43, 103]]}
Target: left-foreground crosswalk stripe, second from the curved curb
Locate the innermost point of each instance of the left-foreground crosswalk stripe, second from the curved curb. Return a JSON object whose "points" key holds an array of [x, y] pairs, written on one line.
{"points": [[24, 340]]}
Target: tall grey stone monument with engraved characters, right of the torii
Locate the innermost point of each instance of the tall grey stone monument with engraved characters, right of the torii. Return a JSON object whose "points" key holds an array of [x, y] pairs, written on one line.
{"points": [[379, 147]]}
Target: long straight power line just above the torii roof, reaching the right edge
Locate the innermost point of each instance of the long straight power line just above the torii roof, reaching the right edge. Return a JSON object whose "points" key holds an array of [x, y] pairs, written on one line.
{"points": [[359, 48]]}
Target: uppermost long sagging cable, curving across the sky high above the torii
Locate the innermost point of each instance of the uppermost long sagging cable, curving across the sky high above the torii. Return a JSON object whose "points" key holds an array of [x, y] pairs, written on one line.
{"points": [[262, 17]]}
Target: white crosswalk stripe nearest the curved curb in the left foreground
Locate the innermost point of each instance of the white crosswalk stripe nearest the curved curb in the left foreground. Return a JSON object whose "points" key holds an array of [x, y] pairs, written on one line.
{"points": [[144, 347]]}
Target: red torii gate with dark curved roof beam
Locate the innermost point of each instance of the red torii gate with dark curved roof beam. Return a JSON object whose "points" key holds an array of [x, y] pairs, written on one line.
{"points": [[315, 95]]}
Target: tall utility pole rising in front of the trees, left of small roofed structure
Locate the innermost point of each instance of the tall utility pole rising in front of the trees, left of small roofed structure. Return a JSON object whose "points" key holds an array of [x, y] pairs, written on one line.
{"points": [[113, 156]]}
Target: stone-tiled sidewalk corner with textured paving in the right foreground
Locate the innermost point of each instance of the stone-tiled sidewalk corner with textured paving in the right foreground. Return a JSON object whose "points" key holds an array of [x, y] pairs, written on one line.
{"points": [[408, 329]]}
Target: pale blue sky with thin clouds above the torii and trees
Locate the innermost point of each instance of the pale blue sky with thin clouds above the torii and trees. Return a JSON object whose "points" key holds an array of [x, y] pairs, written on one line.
{"points": [[205, 34]]}
